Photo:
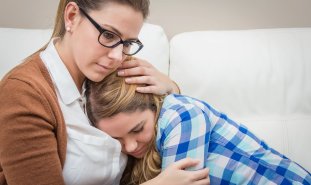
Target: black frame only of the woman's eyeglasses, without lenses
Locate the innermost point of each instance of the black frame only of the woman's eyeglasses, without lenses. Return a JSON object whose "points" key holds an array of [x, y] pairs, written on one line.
{"points": [[102, 30]]}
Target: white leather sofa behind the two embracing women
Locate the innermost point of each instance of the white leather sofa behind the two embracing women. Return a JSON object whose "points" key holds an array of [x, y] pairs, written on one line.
{"points": [[261, 78]]}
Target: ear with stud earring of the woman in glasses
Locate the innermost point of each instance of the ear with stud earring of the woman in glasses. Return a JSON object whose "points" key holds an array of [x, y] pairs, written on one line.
{"points": [[71, 16]]}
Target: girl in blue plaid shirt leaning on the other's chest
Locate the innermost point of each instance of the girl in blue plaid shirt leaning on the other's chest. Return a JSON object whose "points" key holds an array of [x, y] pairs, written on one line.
{"points": [[158, 131]]}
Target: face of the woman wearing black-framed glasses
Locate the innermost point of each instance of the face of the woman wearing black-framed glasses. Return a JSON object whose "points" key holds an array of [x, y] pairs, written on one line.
{"points": [[90, 58]]}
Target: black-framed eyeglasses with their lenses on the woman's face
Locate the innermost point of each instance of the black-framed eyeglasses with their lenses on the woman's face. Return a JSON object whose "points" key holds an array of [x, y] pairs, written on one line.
{"points": [[110, 39]]}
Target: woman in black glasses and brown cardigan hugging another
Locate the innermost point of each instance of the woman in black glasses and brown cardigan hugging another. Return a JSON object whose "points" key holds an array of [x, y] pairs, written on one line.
{"points": [[45, 135]]}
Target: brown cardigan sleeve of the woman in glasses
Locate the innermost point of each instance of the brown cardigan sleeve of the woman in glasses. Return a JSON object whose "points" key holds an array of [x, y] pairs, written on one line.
{"points": [[28, 144]]}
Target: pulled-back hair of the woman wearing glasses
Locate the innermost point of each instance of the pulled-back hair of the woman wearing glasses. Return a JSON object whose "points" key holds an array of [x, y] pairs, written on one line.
{"points": [[87, 5]]}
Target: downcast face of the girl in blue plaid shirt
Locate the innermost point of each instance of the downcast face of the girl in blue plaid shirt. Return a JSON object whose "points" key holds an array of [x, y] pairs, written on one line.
{"points": [[133, 130]]}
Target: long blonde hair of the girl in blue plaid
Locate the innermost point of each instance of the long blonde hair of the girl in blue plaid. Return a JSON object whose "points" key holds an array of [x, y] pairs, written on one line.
{"points": [[112, 96]]}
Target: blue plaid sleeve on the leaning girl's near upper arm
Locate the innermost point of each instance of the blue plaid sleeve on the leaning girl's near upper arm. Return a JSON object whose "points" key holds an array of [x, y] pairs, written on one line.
{"points": [[186, 134]]}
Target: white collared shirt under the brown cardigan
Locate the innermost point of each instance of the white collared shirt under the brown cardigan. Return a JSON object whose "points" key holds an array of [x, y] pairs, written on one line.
{"points": [[92, 156]]}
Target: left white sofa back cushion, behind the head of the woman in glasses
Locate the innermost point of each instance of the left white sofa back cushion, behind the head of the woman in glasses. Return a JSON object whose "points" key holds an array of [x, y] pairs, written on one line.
{"points": [[16, 44]]}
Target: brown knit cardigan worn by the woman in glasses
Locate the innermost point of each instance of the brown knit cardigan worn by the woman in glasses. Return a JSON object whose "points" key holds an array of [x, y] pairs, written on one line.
{"points": [[32, 128]]}
